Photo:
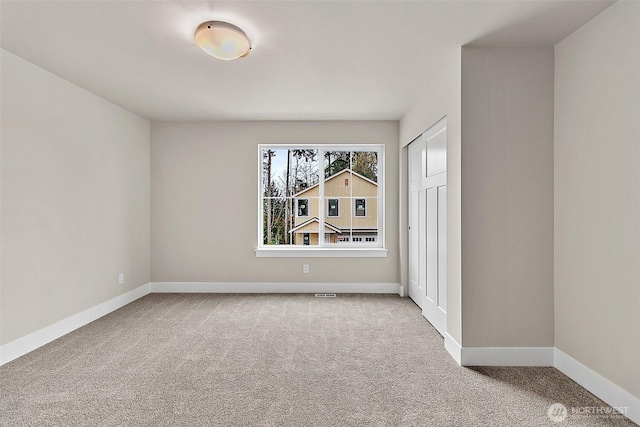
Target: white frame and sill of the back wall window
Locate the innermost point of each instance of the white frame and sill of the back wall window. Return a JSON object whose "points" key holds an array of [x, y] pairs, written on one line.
{"points": [[346, 249]]}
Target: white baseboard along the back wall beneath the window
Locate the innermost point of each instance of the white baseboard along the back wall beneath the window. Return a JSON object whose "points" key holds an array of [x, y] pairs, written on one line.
{"points": [[269, 287]]}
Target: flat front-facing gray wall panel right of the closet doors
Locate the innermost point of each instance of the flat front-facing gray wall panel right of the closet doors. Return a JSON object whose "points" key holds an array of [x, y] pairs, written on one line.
{"points": [[507, 197]]}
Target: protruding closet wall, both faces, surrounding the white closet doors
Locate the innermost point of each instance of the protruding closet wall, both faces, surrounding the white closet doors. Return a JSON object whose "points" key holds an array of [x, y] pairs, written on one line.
{"points": [[499, 108]]}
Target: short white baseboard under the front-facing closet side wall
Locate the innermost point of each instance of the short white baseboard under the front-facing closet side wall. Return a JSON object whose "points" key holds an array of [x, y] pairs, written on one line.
{"points": [[506, 356]]}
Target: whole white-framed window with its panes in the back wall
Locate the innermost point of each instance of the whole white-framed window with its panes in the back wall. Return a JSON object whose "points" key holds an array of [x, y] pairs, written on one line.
{"points": [[315, 199]]}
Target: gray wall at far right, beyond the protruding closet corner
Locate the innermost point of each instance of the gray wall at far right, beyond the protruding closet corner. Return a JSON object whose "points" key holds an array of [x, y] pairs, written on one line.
{"points": [[597, 195]]}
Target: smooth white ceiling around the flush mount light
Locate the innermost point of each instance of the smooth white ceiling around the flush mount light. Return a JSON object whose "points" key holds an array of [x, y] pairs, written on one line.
{"points": [[312, 60]]}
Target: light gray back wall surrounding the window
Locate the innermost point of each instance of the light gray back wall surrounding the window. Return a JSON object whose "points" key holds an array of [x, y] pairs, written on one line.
{"points": [[204, 188]]}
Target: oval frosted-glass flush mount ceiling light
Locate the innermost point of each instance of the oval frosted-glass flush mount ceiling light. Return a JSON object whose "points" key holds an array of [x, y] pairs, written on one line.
{"points": [[222, 40]]}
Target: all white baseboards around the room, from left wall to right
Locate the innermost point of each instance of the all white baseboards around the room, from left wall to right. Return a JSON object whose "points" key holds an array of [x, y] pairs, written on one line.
{"points": [[606, 390]]}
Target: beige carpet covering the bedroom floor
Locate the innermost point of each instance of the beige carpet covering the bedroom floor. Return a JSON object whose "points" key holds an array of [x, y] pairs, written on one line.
{"points": [[274, 360]]}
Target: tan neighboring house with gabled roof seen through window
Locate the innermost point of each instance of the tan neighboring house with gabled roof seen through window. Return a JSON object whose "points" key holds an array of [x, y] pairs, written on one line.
{"points": [[350, 206]]}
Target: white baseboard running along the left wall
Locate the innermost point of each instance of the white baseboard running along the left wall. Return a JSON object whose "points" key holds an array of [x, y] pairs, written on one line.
{"points": [[28, 343]]}
